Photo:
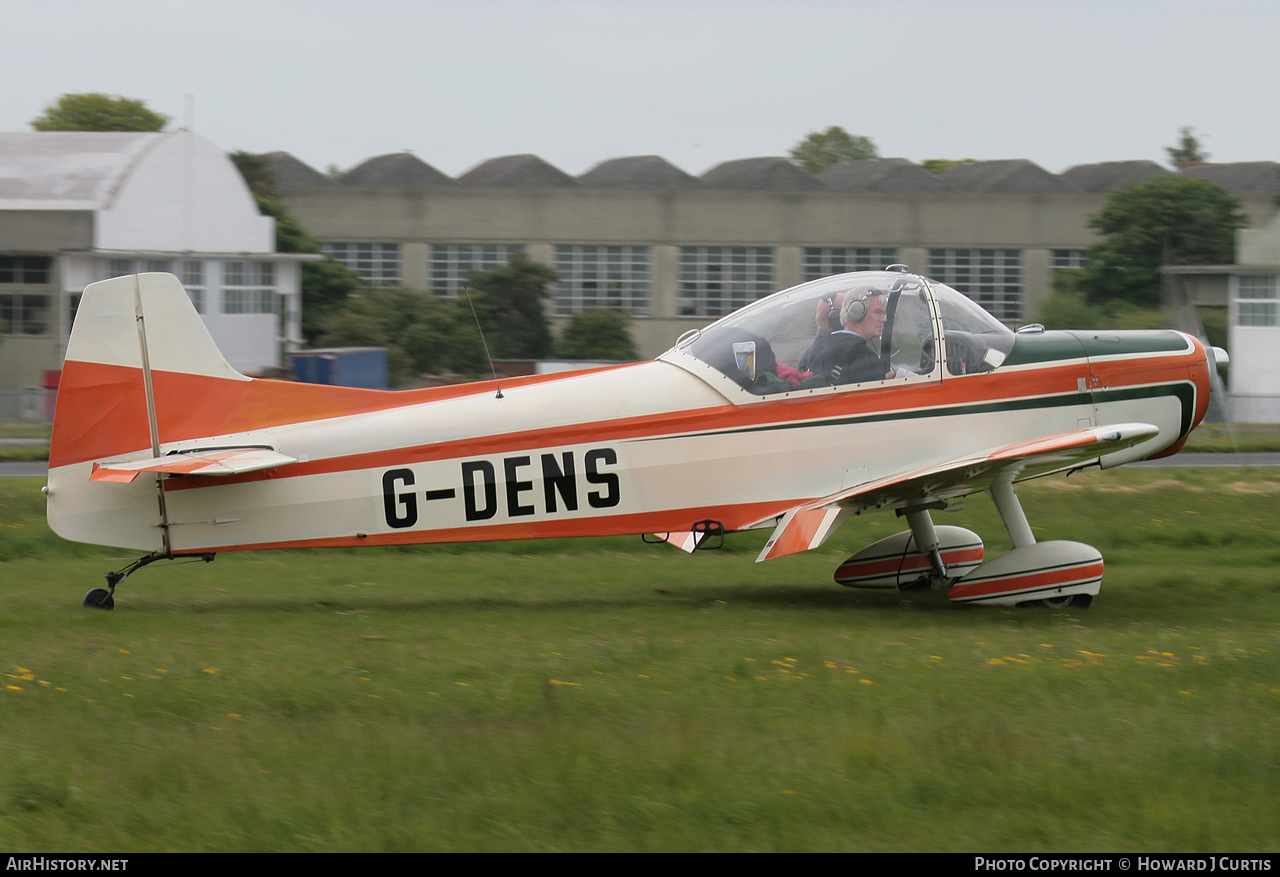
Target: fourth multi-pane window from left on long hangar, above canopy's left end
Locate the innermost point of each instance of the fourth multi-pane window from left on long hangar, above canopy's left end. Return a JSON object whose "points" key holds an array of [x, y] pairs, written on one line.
{"points": [[716, 281]]}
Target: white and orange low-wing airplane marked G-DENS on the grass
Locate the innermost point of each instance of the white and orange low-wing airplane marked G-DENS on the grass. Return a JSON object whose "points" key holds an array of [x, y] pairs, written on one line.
{"points": [[161, 446]]}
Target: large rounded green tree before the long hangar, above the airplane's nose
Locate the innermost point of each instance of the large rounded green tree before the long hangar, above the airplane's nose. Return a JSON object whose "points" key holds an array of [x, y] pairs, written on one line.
{"points": [[1168, 221]]}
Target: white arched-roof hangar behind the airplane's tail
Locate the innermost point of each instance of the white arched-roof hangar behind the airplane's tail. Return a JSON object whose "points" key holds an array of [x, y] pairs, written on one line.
{"points": [[84, 207]]}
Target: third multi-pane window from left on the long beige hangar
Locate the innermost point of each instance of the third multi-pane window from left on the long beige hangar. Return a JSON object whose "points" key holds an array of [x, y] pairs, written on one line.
{"points": [[596, 277]]}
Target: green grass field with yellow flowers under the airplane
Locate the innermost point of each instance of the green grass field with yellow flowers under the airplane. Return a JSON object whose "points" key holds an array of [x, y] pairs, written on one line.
{"points": [[612, 696]]}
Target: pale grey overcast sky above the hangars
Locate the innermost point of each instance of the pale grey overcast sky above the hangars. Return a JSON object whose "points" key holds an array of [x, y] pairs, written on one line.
{"points": [[700, 83]]}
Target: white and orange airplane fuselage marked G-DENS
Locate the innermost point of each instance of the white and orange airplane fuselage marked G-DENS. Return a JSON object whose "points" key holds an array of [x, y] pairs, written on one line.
{"points": [[652, 447]]}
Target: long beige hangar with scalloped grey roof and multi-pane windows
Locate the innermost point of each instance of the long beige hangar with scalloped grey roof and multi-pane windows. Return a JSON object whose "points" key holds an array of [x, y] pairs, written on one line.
{"points": [[679, 250]]}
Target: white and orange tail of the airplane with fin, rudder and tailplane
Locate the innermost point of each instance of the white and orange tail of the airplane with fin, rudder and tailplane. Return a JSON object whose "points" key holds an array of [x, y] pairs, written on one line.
{"points": [[143, 376]]}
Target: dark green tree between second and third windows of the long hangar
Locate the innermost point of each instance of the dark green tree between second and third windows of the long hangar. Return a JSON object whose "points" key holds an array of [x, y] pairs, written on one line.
{"points": [[510, 303]]}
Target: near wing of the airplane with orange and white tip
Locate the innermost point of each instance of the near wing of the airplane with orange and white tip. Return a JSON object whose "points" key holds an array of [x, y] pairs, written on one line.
{"points": [[810, 524]]}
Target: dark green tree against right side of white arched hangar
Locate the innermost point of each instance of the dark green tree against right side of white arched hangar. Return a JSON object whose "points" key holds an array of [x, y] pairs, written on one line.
{"points": [[327, 284]]}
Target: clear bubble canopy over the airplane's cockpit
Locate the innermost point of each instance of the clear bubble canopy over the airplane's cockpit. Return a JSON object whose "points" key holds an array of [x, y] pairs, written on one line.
{"points": [[769, 346]]}
